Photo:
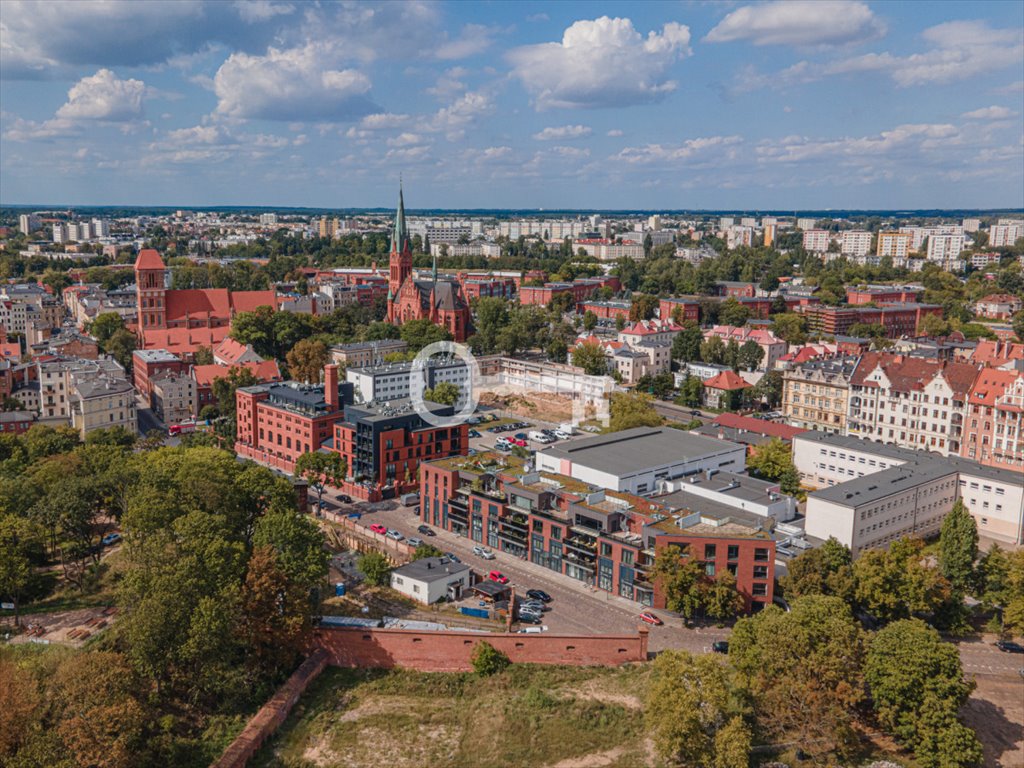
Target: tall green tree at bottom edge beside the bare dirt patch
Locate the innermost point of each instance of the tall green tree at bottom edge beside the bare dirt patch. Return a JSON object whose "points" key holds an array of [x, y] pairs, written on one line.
{"points": [[917, 688]]}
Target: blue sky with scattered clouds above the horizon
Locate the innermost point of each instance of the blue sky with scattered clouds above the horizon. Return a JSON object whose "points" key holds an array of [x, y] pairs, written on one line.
{"points": [[670, 105]]}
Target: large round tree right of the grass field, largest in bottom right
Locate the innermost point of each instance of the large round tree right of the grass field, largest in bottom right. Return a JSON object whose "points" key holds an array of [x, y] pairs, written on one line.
{"points": [[808, 660]]}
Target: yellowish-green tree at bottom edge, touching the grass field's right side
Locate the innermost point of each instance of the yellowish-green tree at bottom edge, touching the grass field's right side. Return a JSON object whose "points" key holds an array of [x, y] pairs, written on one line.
{"points": [[690, 713]]}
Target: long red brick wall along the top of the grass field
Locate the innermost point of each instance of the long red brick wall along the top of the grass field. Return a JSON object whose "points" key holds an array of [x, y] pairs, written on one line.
{"points": [[451, 652]]}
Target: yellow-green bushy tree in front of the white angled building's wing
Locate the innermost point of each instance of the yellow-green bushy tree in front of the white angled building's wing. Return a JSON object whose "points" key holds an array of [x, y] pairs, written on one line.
{"points": [[899, 583]]}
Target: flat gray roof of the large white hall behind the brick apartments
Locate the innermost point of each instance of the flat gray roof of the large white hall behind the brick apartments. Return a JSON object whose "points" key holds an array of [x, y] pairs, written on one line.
{"points": [[639, 449]]}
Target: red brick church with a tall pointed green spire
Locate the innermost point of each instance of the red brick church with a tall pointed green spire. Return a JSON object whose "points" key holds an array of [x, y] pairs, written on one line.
{"points": [[439, 300]]}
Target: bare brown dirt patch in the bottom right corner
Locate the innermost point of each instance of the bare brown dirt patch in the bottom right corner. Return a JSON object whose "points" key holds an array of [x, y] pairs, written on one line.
{"points": [[996, 711]]}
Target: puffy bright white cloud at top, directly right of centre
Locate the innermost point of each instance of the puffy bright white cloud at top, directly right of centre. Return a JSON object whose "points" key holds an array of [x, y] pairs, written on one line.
{"points": [[602, 63]]}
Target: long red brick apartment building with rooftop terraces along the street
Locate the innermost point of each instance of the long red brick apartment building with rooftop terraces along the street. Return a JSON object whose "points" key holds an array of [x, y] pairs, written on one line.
{"points": [[604, 538]]}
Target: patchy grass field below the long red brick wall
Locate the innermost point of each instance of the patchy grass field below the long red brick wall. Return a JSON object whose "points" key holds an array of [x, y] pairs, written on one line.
{"points": [[527, 716]]}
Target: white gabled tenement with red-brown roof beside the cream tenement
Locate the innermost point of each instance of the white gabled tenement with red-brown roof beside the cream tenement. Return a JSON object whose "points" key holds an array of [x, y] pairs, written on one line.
{"points": [[911, 402]]}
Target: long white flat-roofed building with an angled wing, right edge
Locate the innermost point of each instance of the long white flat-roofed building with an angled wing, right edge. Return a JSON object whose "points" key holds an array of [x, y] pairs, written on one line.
{"points": [[876, 493]]}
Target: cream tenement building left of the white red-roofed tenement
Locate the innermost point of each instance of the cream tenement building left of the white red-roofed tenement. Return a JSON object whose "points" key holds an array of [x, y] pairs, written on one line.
{"points": [[817, 395]]}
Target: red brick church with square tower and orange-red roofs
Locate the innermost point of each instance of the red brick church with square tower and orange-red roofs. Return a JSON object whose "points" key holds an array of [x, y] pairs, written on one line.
{"points": [[184, 321]]}
